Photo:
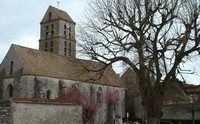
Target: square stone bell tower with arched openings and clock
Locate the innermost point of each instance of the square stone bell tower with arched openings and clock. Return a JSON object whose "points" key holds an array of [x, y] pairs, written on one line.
{"points": [[57, 33]]}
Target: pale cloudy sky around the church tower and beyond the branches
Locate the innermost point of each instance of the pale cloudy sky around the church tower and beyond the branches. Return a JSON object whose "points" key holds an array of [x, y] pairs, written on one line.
{"points": [[20, 24]]}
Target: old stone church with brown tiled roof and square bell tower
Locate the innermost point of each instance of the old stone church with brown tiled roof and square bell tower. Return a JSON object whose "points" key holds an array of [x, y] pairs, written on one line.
{"points": [[31, 73]]}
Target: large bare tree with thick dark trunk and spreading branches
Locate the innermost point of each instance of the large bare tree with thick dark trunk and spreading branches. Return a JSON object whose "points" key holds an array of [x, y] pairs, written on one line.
{"points": [[153, 37]]}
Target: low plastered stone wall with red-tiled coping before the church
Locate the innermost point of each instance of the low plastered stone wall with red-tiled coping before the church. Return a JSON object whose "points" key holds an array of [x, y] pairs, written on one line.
{"points": [[45, 112]]}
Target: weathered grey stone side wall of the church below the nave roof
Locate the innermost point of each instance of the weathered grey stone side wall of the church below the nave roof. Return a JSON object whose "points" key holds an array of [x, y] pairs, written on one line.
{"points": [[28, 84]]}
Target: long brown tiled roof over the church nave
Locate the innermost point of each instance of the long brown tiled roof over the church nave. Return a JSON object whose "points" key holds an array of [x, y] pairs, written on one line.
{"points": [[37, 62]]}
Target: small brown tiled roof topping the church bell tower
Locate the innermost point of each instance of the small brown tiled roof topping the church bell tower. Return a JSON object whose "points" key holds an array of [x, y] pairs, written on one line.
{"points": [[60, 14]]}
